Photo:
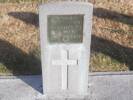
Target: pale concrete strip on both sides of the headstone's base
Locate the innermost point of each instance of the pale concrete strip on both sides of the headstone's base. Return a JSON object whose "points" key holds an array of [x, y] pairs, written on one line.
{"points": [[102, 87]]}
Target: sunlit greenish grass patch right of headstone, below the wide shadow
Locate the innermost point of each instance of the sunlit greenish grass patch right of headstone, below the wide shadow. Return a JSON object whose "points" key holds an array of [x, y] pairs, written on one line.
{"points": [[103, 63]]}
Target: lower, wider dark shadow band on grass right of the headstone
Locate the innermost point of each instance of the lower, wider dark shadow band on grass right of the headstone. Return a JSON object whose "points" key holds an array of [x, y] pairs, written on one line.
{"points": [[114, 50]]}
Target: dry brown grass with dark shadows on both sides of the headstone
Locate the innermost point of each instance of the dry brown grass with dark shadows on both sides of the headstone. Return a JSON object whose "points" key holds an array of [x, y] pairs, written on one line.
{"points": [[112, 37]]}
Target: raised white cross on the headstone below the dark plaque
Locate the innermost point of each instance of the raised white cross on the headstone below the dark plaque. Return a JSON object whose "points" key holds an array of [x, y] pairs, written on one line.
{"points": [[65, 62]]}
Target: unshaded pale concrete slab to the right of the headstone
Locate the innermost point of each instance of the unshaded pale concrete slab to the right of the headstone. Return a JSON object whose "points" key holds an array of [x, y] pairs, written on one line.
{"points": [[111, 86]]}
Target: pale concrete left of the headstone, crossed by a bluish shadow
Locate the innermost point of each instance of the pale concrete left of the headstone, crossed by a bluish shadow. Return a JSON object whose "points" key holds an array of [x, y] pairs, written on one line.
{"points": [[20, 88]]}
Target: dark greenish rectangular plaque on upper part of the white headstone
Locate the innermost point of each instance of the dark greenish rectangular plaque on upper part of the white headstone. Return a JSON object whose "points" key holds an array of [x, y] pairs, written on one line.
{"points": [[65, 28]]}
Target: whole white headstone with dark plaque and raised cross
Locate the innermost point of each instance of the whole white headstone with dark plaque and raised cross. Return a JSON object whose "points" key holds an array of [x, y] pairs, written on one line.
{"points": [[65, 29]]}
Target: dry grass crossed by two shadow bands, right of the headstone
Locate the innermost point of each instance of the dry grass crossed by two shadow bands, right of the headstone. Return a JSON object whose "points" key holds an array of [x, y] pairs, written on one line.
{"points": [[112, 46]]}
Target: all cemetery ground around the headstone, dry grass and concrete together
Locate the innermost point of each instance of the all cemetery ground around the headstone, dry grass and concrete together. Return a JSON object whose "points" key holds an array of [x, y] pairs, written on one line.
{"points": [[111, 50]]}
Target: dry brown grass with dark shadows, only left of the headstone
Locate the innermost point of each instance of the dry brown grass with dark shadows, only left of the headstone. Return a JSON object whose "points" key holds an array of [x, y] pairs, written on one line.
{"points": [[19, 39]]}
